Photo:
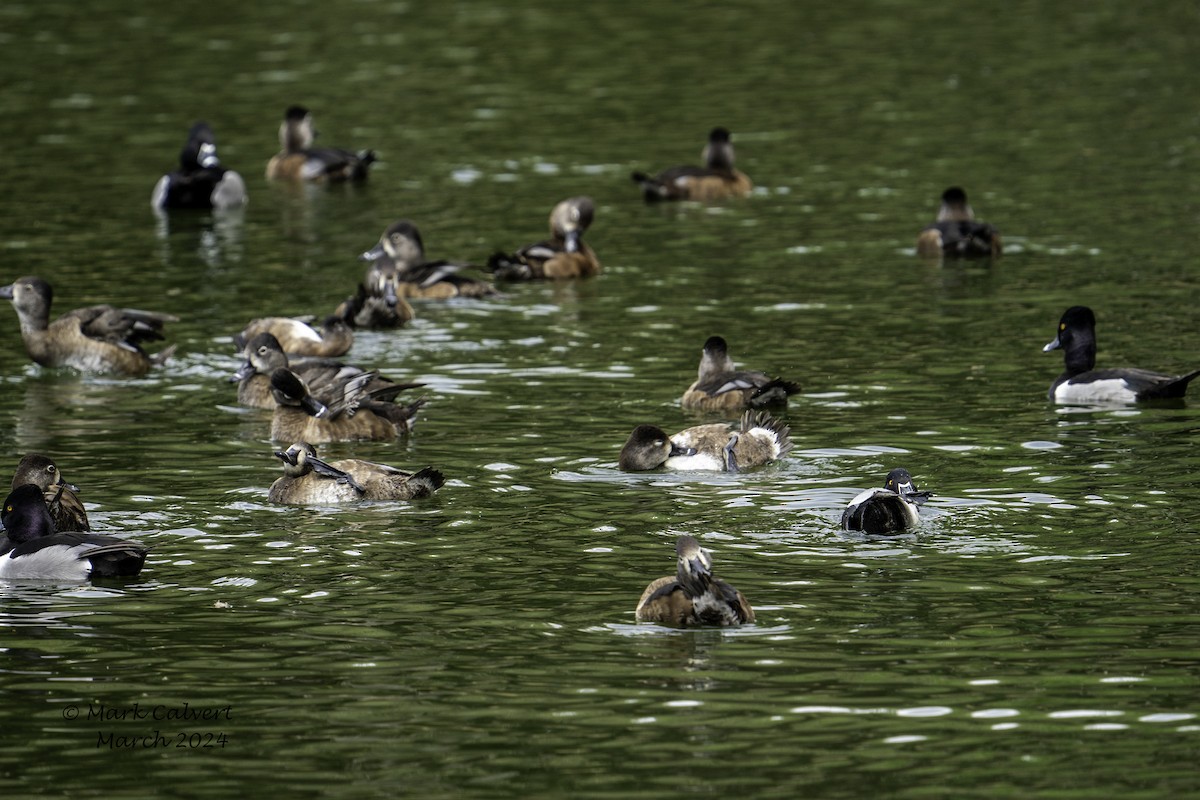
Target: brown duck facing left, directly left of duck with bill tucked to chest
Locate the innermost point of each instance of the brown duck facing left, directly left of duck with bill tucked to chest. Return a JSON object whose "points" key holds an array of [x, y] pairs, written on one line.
{"points": [[418, 278]]}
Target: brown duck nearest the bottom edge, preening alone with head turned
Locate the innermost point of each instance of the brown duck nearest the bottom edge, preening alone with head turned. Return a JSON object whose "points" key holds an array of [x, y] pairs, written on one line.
{"points": [[693, 597]]}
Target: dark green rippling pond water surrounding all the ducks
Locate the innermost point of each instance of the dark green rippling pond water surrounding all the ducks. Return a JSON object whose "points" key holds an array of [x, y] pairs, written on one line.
{"points": [[1039, 637]]}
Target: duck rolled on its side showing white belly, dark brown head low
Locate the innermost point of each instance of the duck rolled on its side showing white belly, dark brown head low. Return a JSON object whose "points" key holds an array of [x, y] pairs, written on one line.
{"points": [[759, 441]]}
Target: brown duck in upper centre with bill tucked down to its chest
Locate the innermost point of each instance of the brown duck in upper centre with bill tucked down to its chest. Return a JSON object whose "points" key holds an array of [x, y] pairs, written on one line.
{"points": [[563, 256]]}
